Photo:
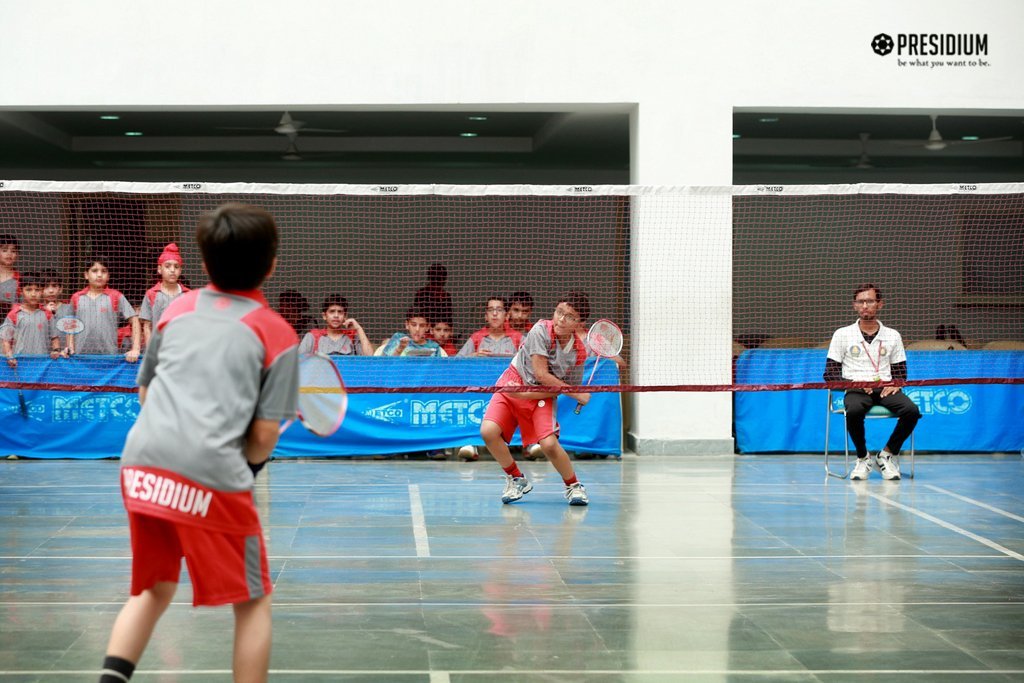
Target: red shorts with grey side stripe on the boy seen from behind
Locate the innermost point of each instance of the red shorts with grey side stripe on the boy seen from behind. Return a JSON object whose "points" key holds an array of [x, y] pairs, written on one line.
{"points": [[226, 569]]}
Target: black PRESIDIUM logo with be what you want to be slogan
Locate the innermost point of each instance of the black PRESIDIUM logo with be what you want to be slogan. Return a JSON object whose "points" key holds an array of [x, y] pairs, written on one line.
{"points": [[956, 50]]}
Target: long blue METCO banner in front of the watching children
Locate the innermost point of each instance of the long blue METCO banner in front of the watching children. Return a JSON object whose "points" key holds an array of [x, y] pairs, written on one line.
{"points": [[63, 424]]}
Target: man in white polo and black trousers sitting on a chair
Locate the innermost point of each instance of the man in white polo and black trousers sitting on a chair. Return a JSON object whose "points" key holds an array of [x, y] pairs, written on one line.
{"points": [[869, 352]]}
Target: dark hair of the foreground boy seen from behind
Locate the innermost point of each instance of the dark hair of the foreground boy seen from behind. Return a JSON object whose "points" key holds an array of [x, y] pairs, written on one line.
{"points": [[239, 244]]}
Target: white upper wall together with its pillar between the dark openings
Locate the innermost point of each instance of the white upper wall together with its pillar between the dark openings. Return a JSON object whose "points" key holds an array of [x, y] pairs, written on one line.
{"points": [[685, 66]]}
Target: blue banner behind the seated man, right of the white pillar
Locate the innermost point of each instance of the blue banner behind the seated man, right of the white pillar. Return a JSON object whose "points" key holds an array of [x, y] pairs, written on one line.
{"points": [[960, 418]]}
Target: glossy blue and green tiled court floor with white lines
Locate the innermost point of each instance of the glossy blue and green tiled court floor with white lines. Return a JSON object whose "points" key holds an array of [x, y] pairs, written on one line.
{"points": [[682, 569]]}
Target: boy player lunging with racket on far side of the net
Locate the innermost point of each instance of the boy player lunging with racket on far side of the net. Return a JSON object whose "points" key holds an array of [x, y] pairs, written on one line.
{"points": [[549, 355]]}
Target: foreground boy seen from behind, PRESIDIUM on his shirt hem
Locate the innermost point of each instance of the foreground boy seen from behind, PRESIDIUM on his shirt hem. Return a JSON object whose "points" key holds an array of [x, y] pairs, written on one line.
{"points": [[221, 374]]}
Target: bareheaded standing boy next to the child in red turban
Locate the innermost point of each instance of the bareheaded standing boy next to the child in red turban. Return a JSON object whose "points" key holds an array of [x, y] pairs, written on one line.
{"points": [[99, 308]]}
